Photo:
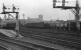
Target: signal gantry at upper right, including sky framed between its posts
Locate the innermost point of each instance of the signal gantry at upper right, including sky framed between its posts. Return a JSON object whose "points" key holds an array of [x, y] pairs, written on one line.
{"points": [[68, 4]]}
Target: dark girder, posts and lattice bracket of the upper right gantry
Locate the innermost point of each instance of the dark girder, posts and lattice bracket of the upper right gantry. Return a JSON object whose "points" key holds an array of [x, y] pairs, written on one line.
{"points": [[75, 11]]}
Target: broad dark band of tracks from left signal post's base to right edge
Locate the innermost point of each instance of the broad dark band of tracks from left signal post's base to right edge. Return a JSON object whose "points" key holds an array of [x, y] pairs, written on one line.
{"points": [[60, 39]]}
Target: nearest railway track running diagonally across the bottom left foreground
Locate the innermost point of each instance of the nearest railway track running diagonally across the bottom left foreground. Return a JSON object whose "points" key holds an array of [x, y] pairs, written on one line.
{"points": [[20, 45]]}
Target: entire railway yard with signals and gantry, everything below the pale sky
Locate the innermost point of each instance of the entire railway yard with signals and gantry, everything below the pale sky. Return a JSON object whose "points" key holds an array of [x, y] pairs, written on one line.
{"points": [[16, 34]]}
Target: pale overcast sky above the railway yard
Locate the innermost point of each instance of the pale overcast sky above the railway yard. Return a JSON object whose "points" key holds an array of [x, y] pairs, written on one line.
{"points": [[32, 8]]}
